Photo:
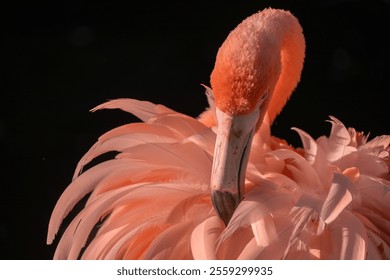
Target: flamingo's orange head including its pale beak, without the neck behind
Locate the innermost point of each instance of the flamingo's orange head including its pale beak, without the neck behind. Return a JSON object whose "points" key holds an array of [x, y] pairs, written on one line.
{"points": [[246, 71]]}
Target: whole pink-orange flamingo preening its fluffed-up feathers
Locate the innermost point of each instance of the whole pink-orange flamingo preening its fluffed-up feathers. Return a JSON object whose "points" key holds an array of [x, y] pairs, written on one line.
{"points": [[220, 186]]}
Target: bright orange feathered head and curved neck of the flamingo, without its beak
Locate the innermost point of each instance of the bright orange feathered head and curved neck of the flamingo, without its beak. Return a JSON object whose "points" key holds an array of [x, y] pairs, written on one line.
{"points": [[265, 52]]}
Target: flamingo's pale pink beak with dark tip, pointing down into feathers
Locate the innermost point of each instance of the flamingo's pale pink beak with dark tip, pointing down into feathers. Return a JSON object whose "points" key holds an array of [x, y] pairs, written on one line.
{"points": [[231, 154]]}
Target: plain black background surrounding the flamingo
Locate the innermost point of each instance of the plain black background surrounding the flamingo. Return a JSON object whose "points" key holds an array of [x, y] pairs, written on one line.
{"points": [[61, 58]]}
